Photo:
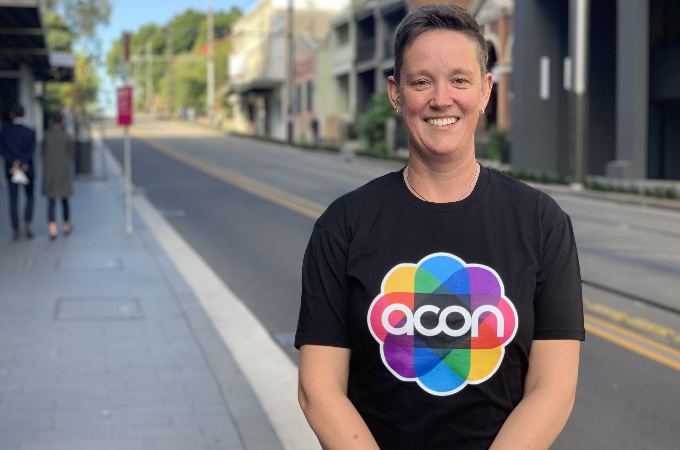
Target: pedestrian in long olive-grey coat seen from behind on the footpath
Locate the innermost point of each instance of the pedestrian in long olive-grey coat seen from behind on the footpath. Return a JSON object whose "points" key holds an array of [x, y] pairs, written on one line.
{"points": [[58, 151]]}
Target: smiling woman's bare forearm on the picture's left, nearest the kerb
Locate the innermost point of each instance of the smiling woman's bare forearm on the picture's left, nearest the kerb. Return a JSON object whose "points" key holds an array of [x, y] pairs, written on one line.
{"points": [[322, 393]]}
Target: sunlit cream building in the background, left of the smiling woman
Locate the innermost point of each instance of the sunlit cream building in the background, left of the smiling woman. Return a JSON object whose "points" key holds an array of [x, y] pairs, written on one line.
{"points": [[259, 61]]}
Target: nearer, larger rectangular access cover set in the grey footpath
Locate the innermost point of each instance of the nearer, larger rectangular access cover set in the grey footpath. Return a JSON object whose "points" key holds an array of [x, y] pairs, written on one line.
{"points": [[98, 308]]}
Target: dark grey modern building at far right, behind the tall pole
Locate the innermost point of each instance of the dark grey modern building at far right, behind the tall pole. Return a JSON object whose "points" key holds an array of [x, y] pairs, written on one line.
{"points": [[629, 121]]}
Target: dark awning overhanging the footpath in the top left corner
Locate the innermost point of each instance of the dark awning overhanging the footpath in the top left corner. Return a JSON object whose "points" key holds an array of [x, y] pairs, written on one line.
{"points": [[22, 40]]}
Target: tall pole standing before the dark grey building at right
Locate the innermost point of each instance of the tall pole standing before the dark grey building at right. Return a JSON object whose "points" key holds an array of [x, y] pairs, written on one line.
{"points": [[579, 29]]}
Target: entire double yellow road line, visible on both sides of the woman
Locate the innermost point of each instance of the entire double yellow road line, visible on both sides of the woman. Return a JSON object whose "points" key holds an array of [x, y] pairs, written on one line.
{"points": [[616, 334]]}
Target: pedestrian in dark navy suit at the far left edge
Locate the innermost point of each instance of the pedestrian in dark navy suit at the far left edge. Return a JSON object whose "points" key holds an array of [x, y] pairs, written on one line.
{"points": [[17, 144]]}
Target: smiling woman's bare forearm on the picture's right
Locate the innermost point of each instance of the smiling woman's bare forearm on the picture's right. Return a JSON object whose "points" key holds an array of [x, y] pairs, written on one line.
{"points": [[549, 391]]}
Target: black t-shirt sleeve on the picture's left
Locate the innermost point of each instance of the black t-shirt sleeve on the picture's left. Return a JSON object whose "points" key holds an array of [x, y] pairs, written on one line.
{"points": [[323, 311]]}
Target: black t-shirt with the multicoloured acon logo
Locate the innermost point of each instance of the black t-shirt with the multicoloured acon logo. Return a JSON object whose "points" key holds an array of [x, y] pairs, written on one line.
{"points": [[439, 304]]}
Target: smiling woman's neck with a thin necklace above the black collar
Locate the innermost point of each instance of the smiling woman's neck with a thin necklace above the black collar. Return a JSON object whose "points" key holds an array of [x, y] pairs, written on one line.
{"points": [[441, 181]]}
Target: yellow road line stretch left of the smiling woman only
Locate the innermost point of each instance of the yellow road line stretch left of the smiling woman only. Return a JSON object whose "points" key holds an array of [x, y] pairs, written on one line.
{"points": [[298, 204]]}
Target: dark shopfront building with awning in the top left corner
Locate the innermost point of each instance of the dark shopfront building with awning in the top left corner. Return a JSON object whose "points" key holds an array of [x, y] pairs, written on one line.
{"points": [[26, 61]]}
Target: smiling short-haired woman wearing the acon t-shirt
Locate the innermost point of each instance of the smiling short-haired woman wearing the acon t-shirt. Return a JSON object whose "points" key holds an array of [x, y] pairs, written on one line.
{"points": [[441, 304]]}
